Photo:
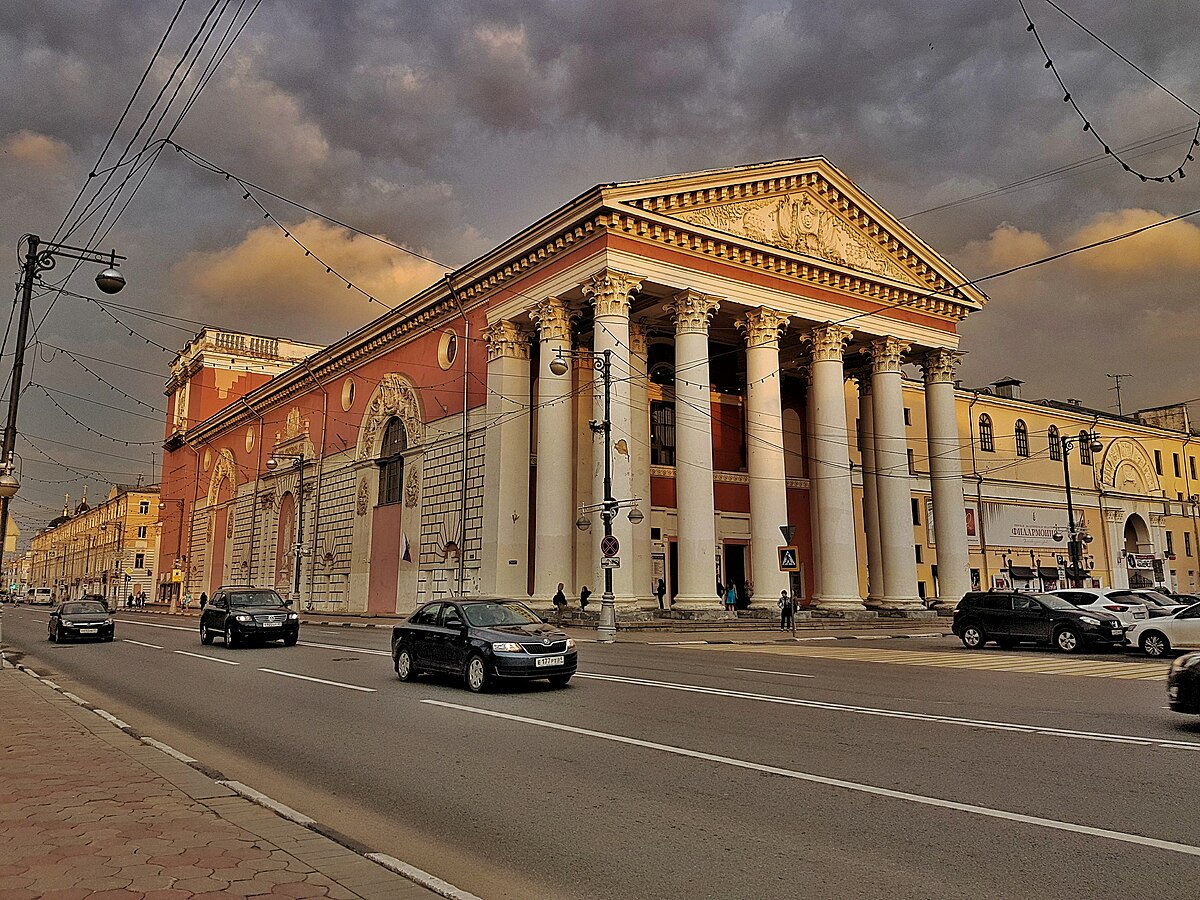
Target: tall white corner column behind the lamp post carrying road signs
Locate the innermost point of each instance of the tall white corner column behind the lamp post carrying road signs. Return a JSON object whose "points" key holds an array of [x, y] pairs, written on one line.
{"points": [[610, 296]]}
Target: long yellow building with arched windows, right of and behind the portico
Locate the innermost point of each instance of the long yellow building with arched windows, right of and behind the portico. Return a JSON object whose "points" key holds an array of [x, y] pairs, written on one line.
{"points": [[1133, 490]]}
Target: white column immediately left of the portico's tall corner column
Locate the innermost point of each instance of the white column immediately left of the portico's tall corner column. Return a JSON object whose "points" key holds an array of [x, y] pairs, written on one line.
{"points": [[554, 539]]}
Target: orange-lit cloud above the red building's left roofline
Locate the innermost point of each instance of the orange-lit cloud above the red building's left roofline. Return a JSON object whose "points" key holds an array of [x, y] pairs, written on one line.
{"points": [[269, 280]]}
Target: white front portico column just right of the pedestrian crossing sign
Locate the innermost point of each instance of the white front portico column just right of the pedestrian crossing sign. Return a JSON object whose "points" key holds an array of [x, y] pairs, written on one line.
{"points": [[838, 568]]}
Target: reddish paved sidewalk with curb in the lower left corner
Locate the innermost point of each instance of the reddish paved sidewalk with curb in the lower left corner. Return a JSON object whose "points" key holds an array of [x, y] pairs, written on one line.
{"points": [[91, 811]]}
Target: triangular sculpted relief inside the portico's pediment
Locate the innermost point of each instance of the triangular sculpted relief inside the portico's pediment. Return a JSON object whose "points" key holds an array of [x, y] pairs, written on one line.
{"points": [[803, 225]]}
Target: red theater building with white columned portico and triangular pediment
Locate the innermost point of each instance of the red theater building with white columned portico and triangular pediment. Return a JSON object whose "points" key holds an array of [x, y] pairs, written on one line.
{"points": [[775, 358]]}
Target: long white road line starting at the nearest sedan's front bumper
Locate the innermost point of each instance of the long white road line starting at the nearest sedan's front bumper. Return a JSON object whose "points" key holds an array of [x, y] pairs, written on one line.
{"points": [[884, 713]]}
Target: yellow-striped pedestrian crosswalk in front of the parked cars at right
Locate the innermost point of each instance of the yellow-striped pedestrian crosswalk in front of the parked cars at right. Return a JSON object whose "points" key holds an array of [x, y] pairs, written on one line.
{"points": [[951, 659]]}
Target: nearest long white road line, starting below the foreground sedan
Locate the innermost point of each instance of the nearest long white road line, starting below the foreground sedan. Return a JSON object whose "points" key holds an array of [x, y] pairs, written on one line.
{"points": [[856, 787]]}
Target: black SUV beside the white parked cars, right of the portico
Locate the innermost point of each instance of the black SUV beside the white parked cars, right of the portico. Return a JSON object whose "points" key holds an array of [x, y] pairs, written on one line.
{"points": [[1011, 617]]}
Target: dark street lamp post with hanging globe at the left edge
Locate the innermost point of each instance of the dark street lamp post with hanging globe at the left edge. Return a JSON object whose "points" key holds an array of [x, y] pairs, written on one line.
{"points": [[39, 259]]}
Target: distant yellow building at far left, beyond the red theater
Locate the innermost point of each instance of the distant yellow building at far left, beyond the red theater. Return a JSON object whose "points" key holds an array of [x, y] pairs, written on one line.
{"points": [[111, 549]]}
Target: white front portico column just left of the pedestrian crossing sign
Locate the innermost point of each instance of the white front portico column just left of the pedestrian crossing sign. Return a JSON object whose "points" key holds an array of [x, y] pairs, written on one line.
{"points": [[765, 451]]}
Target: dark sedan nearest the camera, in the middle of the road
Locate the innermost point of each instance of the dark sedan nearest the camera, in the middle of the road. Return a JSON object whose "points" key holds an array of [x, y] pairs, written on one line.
{"points": [[482, 639]]}
